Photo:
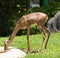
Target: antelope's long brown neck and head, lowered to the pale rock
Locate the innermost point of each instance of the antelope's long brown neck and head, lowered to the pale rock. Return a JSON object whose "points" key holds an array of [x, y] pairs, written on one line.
{"points": [[7, 43]]}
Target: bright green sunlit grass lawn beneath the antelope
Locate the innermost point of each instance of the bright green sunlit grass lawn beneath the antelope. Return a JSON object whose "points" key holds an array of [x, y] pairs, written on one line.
{"points": [[52, 51]]}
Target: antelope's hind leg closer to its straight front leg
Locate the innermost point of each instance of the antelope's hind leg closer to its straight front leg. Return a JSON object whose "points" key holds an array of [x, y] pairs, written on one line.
{"points": [[43, 38]]}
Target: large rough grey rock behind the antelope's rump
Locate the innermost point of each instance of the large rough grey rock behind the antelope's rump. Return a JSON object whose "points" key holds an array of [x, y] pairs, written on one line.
{"points": [[54, 23]]}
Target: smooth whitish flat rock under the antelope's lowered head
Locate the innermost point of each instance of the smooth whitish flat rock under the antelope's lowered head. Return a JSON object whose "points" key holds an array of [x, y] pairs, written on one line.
{"points": [[12, 53]]}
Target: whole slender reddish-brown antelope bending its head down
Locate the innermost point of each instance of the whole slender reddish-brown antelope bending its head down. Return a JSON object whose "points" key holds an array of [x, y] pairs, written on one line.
{"points": [[25, 22]]}
